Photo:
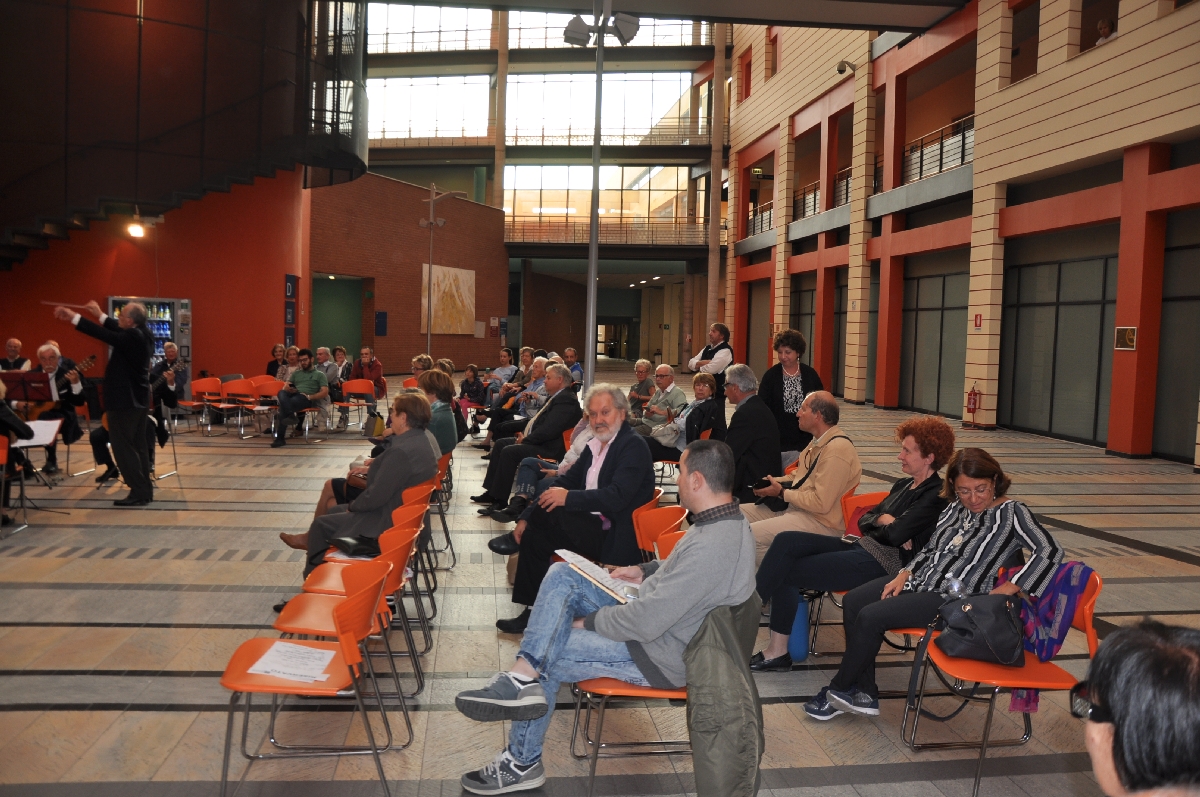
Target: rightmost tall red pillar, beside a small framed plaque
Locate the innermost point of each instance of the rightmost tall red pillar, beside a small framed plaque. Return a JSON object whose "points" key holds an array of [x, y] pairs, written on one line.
{"points": [[1139, 303]]}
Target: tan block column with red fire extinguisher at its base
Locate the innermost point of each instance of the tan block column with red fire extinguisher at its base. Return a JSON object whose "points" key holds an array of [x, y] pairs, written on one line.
{"points": [[987, 302]]}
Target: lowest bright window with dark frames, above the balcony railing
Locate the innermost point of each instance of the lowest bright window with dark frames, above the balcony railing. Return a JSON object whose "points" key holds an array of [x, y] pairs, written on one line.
{"points": [[627, 193]]}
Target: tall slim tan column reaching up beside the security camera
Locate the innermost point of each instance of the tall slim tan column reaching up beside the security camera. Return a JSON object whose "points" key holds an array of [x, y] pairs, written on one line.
{"points": [[859, 293]]}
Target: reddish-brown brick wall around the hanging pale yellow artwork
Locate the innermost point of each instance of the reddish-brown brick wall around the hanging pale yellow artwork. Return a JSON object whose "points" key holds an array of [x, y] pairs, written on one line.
{"points": [[369, 229]]}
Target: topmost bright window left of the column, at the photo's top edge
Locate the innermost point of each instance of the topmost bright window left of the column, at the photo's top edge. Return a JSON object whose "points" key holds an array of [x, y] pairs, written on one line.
{"points": [[422, 29]]}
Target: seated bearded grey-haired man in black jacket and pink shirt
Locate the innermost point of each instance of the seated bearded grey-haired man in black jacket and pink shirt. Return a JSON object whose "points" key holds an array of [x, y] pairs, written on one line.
{"points": [[591, 510]]}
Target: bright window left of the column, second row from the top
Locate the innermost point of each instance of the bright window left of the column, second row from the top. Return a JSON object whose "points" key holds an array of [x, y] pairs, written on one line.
{"points": [[441, 107]]}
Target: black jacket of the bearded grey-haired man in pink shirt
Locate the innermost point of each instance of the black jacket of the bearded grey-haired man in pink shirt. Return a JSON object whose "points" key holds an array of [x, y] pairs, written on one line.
{"points": [[626, 483]]}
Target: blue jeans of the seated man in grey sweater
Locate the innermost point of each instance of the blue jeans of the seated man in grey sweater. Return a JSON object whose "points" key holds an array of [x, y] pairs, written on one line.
{"points": [[565, 655]]}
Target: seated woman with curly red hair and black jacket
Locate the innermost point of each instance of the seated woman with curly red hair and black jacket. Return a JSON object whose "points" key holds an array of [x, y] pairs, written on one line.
{"points": [[892, 534]]}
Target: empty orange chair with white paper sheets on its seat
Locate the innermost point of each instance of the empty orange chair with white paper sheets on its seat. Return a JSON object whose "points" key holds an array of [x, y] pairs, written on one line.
{"points": [[353, 620]]}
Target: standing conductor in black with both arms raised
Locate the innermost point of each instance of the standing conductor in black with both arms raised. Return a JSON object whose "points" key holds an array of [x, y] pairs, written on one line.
{"points": [[127, 391]]}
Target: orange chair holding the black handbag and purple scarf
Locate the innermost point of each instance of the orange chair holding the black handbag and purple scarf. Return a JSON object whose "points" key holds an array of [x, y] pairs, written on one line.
{"points": [[1034, 675]]}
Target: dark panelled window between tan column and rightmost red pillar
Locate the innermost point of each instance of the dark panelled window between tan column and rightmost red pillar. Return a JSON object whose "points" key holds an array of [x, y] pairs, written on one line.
{"points": [[1057, 349]]}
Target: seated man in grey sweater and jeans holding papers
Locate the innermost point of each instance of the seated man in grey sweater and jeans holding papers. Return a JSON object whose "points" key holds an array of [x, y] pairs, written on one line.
{"points": [[579, 632]]}
